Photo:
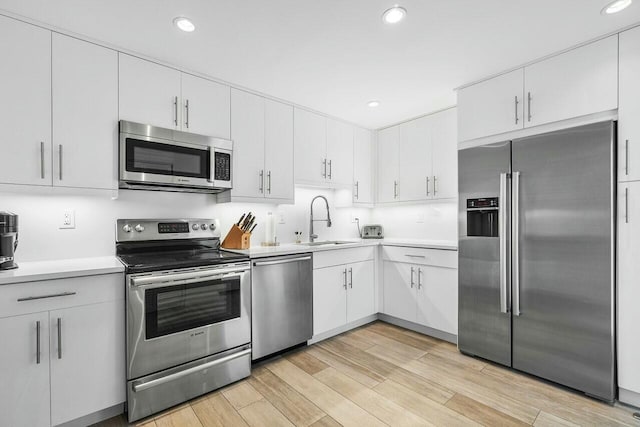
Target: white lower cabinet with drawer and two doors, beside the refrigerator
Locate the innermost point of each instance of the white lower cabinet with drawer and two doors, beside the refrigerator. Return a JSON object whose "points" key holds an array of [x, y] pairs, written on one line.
{"points": [[421, 286]]}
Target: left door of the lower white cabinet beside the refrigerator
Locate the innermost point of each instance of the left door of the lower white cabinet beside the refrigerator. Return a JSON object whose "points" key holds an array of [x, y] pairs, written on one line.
{"points": [[400, 290]]}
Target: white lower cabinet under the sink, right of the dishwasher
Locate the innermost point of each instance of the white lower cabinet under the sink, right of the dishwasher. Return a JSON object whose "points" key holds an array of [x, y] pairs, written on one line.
{"points": [[343, 288]]}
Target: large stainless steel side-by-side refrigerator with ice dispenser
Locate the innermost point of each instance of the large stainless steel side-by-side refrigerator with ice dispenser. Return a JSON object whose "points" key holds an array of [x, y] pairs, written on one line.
{"points": [[537, 256]]}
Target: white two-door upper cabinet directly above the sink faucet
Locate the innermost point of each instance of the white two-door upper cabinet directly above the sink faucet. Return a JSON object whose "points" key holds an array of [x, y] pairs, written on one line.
{"points": [[323, 150]]}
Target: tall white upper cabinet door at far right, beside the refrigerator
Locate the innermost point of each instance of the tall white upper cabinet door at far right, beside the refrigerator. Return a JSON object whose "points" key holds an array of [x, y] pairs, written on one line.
{"points": [[629, 111]]}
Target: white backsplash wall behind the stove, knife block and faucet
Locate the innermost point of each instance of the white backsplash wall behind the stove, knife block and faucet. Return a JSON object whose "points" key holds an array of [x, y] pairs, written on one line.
{"points": [[94, 235]]}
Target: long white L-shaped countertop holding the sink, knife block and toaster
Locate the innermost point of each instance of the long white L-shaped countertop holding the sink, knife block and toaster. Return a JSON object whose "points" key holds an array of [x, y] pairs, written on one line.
{"points": [[298, 248]]}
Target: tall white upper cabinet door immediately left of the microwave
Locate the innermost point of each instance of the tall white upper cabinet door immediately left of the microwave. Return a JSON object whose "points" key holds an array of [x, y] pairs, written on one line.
{"points": [[85, 114]]}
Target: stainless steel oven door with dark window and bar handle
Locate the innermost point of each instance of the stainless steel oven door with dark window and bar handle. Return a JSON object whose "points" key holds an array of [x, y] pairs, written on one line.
{"points": [[179, 316]]}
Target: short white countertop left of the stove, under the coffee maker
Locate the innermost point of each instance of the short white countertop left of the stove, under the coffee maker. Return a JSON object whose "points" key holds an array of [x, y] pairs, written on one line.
{"points": [[59, 269]]}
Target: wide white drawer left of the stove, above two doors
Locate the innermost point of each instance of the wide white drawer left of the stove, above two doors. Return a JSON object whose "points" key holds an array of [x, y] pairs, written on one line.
{"points": [[60, 293]]}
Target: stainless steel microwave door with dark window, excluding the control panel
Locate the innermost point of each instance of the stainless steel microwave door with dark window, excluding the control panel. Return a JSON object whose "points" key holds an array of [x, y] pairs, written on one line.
{"points": [[154, 161]]}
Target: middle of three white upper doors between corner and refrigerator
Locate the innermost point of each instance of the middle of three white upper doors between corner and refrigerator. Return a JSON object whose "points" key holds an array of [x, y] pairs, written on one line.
{"points": [[415, 159]]}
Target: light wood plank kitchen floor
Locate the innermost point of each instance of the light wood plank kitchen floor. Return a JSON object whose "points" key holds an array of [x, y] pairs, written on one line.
{"points": [[381, 375]]}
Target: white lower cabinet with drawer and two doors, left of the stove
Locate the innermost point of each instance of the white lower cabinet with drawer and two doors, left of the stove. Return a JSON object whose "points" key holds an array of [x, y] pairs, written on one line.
{"points": [[63, 351]]}
